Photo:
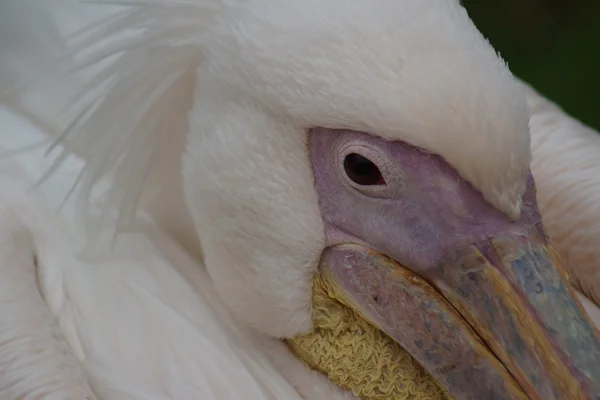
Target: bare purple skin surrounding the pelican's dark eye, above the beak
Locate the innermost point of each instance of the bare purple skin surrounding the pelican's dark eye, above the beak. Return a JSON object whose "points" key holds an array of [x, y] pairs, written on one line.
{"points": [[425, 209]]}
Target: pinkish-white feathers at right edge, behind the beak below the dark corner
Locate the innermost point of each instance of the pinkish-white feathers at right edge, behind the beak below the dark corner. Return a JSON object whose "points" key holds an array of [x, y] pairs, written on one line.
{"points": [[566, 166]]}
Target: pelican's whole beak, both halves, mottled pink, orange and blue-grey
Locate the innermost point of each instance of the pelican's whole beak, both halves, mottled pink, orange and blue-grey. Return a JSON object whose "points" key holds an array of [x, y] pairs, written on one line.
{"points": [[494, 320]]}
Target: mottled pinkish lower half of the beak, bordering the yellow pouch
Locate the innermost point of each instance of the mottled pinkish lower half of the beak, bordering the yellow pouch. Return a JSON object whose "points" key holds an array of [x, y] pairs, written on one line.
{"points": [[415, 315]]}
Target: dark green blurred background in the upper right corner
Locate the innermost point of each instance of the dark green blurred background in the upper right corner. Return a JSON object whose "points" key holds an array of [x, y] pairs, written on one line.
{"points": [[552, 44]]}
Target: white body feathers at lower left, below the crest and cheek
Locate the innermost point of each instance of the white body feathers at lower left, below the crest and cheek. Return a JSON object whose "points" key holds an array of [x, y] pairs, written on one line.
{"points": [[139, 322]]}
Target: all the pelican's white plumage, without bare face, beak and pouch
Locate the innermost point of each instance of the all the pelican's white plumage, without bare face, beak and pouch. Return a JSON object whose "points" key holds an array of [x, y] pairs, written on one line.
{"points": [[144, 320]]}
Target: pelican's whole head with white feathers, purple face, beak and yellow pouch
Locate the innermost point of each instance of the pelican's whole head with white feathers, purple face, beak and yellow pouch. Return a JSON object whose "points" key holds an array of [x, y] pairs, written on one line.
{"points": [[358, 176]]}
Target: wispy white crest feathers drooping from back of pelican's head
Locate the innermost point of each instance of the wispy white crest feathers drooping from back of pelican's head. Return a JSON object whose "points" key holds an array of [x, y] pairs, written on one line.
{"points": [[119, 88]]}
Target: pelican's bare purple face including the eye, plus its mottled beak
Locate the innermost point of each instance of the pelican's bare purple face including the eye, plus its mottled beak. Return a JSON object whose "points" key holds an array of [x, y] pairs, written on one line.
{"points": [[414, 208]]}
